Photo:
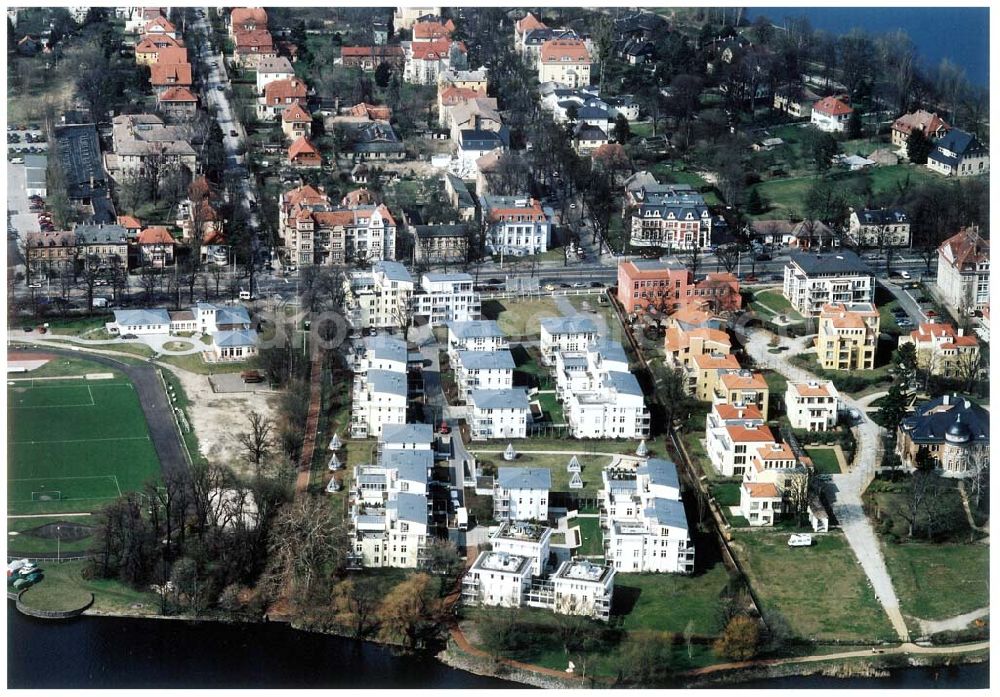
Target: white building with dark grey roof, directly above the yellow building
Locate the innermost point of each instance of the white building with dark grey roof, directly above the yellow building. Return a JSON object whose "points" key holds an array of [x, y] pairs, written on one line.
{"points": [[814, 280]]}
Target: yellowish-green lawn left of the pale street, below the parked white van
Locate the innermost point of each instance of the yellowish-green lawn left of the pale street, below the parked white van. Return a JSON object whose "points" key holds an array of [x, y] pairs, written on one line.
{"points": [[821, 590]]}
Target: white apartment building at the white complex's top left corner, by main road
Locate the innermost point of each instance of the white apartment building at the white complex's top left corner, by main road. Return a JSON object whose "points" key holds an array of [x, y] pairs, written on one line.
{"points": [[381, 297]]}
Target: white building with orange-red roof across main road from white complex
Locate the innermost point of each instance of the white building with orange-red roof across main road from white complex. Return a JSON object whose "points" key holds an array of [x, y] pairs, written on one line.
{"points": [[518, 225]]}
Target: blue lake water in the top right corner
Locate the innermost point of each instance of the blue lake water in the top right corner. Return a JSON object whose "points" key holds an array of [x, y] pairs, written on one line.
{"points": [[961, 34]]}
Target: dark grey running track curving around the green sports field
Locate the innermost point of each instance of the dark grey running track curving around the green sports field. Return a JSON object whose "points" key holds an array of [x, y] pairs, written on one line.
{"points": [[157, 410]]}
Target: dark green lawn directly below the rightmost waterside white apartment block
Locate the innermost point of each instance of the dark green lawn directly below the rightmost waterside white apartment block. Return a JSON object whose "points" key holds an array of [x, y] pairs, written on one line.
{"points": [[668, 602]]}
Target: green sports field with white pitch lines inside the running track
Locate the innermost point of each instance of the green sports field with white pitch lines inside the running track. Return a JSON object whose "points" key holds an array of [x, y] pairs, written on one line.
{"points": [[75, 444]]}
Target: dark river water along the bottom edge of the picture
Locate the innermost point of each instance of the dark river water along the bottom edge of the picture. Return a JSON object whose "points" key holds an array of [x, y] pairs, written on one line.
{"points": [[106, 652]]}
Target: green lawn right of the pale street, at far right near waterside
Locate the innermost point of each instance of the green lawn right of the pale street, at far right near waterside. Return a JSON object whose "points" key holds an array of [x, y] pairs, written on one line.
{"points": [[936, 581]]}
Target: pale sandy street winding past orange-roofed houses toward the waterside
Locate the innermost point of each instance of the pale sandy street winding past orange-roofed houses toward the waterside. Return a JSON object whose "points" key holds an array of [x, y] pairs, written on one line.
{"points": [[844, 490]]}
